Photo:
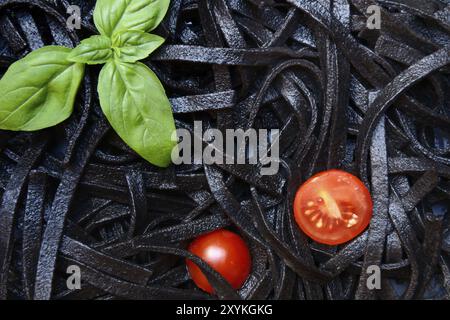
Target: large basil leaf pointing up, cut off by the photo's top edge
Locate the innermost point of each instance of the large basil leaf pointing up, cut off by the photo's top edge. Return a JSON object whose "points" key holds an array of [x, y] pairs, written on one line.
{"points": [[111, 17]]}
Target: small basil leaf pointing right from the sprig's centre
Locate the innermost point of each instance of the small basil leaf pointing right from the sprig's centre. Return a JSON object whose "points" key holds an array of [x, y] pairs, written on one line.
{"points": [[132, 46]]}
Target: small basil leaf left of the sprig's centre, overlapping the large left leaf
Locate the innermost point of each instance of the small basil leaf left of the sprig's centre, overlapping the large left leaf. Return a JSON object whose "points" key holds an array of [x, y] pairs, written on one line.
{"points": [[94, 50]]}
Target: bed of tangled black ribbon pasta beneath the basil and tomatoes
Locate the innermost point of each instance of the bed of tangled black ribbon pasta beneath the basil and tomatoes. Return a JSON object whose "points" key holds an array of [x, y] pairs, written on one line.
{"points": [[372, 102]]}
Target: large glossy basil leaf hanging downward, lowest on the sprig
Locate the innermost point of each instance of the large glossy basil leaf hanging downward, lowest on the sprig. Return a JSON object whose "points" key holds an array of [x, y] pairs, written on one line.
{"points": [[133, 100]]}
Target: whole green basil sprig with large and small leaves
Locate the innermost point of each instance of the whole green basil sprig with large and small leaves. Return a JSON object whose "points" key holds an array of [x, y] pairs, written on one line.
{"points": [[39, 90]]}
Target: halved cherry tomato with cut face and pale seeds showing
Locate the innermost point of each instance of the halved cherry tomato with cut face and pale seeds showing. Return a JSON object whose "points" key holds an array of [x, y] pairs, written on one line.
{"points": [[333, 207]]}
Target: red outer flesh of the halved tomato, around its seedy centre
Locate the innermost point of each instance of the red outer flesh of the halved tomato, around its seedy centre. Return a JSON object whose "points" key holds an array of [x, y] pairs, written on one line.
{"points": [[341, 192]]}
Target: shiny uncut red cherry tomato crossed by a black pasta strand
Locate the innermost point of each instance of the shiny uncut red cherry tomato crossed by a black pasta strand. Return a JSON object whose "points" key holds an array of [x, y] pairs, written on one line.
{"points": [[226, 253]]}
